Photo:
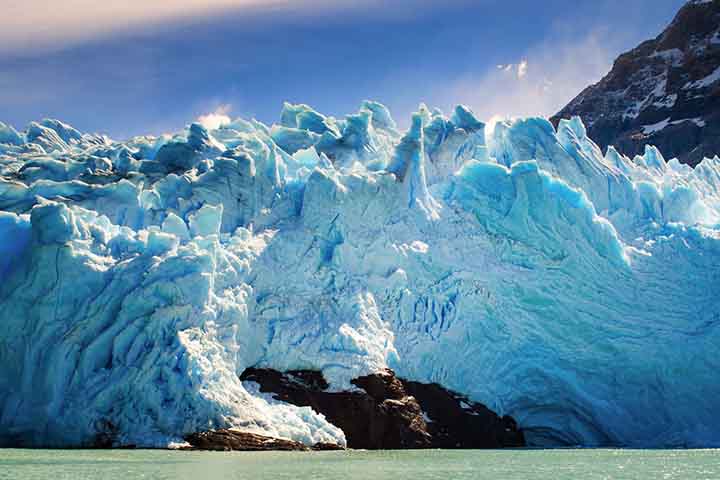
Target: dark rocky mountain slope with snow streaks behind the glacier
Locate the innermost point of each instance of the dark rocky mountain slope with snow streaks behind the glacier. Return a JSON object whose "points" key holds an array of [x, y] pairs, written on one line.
{"points": [[665, 92]]}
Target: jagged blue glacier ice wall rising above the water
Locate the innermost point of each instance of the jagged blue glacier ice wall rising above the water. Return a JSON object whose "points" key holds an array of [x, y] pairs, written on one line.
{"points": [[576, 291]]}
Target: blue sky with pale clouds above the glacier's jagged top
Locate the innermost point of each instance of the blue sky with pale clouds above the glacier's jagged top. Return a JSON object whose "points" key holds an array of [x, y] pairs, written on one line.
{"points": [[129, 67]]}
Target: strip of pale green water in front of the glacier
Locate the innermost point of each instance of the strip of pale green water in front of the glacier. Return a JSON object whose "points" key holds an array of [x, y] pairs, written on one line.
{"points": [[352, 465]]}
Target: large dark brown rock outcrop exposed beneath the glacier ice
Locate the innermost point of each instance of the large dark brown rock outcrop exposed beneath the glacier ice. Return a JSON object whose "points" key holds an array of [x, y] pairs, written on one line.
{"points": [[389, 413]]}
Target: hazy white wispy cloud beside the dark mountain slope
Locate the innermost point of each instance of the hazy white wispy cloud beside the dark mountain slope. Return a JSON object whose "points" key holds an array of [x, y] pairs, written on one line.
{"points": [[540, 84]]}
